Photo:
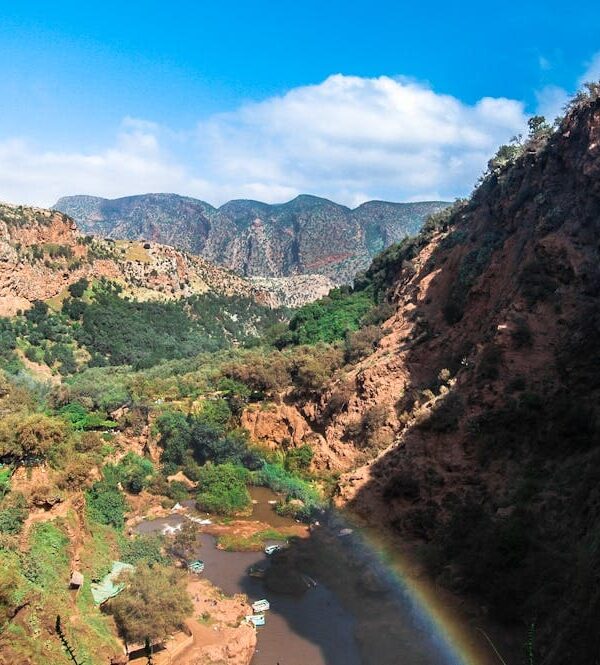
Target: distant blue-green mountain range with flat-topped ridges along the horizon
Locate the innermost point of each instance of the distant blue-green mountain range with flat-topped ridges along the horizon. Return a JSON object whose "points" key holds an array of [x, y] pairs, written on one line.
{"points": [[308, 235]]}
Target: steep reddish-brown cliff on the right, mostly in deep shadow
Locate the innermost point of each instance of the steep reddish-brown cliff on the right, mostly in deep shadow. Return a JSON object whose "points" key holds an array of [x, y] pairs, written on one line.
{"points": [[484, 394]]}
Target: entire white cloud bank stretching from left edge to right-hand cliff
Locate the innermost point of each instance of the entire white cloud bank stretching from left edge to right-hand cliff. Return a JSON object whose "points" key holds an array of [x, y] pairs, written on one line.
{"points": [[347, 138]]}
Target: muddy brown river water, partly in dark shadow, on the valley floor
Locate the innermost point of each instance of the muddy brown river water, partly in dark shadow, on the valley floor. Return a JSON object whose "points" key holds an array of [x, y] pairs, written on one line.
{"points": [[353, 616]]}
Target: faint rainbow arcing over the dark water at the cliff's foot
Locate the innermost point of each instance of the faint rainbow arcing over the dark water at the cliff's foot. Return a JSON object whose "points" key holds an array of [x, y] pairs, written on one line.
{"points": [[457, 642]]}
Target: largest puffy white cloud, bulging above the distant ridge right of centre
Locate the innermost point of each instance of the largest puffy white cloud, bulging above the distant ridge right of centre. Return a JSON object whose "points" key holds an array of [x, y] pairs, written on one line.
{"points": [[382, 137]]}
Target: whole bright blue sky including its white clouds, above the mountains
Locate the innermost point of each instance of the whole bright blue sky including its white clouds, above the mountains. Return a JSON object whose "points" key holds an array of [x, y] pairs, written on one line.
{"points": [[350, 100]]}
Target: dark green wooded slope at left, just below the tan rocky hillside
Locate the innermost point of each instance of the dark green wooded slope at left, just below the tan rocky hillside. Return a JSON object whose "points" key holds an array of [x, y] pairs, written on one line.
{"points": [[99, 326]]}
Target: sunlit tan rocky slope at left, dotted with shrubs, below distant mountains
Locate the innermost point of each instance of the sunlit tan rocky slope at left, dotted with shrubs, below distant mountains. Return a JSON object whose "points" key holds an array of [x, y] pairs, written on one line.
{"points": [[42, 253]]}
